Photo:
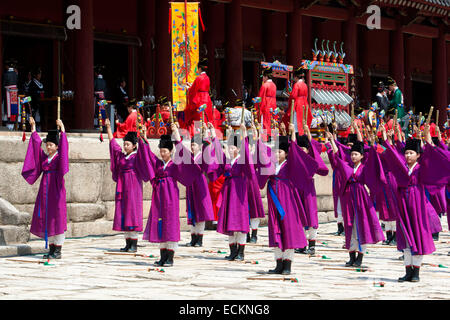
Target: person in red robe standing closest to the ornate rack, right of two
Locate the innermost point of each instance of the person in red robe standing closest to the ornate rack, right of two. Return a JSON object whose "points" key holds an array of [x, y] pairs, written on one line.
{"points": [[299, 95]]}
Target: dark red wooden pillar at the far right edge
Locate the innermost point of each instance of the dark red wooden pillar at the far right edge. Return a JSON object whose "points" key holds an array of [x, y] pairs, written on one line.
{"points": [[440, 79]]}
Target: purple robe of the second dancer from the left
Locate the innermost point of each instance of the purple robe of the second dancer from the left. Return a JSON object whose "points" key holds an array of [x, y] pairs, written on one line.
{"points": [[128, 173]]}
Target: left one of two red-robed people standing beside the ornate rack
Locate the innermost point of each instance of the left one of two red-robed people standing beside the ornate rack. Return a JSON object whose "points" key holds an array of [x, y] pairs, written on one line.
{"points": [[267, 93]]}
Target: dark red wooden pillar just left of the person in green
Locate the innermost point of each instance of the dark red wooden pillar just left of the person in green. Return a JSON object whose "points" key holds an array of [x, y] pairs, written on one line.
{"points": [[397, 56]]}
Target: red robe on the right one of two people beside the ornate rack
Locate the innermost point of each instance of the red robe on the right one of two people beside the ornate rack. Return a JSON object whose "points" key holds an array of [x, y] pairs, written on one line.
{"points": [[299, 95]]}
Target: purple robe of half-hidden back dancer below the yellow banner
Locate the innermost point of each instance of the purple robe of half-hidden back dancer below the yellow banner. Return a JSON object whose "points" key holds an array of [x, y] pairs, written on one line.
{"points": [[198, 200]]}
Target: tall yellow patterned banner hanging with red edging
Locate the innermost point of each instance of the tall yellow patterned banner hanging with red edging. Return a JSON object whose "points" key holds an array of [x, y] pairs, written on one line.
{"points": [[185, 49]]}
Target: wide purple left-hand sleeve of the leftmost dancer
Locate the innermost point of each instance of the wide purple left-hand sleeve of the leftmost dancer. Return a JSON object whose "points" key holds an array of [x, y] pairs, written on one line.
{"points": [[35, 155]]}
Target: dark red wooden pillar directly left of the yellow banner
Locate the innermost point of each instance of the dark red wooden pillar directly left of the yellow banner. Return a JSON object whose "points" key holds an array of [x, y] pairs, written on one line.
{"points": [[163, 51]]}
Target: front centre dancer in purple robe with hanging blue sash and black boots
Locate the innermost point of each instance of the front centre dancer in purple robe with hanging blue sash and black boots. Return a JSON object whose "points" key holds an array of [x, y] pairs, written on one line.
{"points": [[283, 177]]}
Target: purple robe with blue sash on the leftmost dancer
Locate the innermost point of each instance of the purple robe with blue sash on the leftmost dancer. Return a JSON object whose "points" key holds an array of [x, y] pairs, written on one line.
{"points": [[50, 212]]}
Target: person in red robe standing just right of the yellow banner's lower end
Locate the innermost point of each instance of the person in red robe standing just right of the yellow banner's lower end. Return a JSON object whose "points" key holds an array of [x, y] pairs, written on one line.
{"points": [[198, 95]]}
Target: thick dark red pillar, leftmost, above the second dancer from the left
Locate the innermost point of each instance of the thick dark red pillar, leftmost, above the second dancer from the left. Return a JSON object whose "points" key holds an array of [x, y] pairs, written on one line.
{"points": [[83, 68]]}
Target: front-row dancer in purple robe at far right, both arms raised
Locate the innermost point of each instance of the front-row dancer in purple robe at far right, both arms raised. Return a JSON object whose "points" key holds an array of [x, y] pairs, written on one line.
{"points": [[425, 166]]}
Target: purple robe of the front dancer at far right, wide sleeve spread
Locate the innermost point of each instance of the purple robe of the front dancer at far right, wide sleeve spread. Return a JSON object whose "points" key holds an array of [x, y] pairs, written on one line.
{"points": [[413, 223]]}
